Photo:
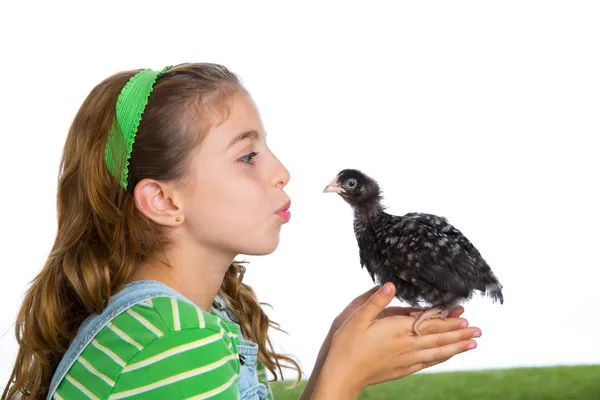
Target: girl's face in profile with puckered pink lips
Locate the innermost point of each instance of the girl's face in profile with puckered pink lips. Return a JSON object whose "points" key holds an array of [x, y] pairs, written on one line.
{"points": [[235, 201]]}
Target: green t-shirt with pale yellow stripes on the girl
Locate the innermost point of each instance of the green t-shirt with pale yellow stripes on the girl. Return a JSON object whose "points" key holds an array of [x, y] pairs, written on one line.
{"points": [[161, 348]]}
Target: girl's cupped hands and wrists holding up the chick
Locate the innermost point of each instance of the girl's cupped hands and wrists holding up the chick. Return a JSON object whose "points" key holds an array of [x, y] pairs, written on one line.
{"points": [[371, 347]]}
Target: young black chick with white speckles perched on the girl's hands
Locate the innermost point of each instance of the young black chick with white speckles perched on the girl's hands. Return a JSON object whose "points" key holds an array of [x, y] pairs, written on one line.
{"points": [[430, 262]]}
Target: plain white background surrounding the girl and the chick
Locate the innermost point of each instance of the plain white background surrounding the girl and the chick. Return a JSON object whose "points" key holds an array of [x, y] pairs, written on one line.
{"points": [[484, 112]]}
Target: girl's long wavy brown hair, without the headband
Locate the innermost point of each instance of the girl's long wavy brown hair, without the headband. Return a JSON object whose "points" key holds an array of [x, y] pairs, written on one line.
{"points": [[102, 236]]}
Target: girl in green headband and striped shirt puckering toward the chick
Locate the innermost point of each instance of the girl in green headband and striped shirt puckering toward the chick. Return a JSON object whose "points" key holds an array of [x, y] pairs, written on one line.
{"points": [[165, 178]]}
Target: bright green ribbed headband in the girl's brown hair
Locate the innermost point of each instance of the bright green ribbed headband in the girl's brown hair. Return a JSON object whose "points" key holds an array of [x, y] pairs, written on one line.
{"points": [[130, 107]]}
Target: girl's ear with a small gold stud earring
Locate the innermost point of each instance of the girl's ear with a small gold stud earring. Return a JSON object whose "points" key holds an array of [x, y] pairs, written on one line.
{"points": [[158, 201]]}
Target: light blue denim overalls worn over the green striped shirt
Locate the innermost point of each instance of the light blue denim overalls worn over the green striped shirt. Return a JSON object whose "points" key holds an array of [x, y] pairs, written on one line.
{"points": [[249, 386]]}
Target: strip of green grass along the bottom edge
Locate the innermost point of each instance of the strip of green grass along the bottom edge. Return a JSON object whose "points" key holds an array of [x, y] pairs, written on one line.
{"points": [[552, 383]]}
